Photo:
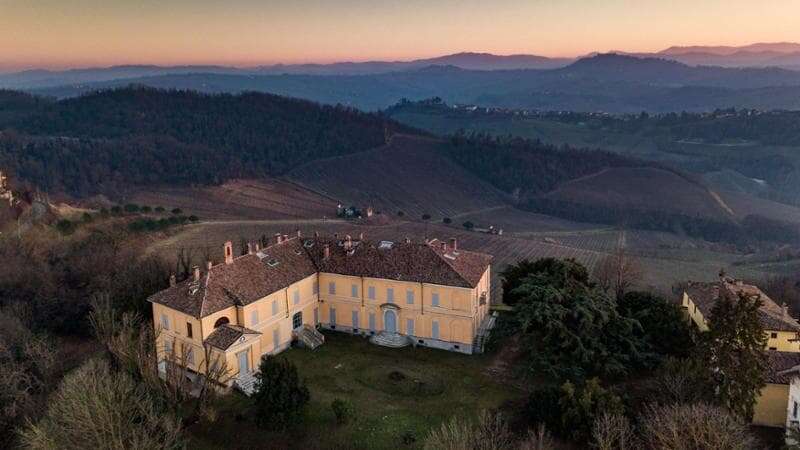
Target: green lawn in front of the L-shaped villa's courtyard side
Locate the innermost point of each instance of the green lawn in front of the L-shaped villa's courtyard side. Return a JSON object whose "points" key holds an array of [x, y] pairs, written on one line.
{"points": [[398, 395]]}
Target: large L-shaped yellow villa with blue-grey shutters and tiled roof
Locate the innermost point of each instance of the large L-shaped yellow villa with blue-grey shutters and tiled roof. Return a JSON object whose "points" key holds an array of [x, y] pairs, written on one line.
{"points": [[430, 294]]}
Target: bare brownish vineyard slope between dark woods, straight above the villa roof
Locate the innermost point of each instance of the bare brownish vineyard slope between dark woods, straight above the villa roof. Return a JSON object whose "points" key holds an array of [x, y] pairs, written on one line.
{"points": [[402, 176]]}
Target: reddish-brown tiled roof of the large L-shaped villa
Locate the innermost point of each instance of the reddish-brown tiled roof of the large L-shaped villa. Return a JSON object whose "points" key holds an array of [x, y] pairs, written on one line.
{"points": [[254, 276]]}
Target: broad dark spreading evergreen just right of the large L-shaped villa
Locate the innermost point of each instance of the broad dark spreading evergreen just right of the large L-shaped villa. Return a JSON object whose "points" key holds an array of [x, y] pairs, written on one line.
{"points": [[571, 328]]}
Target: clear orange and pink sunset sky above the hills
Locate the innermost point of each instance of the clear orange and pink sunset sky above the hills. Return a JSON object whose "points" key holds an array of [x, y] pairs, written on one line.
{"points": [[82, 33]]}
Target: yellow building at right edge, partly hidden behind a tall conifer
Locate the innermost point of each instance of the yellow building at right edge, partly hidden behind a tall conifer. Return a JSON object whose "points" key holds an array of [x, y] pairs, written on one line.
{"points": [[783, 345]]}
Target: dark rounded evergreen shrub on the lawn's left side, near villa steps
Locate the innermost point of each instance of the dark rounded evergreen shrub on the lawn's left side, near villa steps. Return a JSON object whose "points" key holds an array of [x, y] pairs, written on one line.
{"points": [[280, 395]]}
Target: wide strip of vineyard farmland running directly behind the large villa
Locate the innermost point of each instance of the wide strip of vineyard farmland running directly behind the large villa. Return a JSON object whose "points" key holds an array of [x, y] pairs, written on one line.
{"points": [[665, 258]]}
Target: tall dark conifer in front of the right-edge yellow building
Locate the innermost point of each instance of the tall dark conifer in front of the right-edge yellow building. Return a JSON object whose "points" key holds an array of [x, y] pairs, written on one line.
{"points": [[733, 352]]}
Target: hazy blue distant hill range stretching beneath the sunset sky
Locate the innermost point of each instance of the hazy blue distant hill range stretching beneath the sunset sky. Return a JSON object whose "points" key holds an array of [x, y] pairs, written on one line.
{"points": [[606, 82]]}
